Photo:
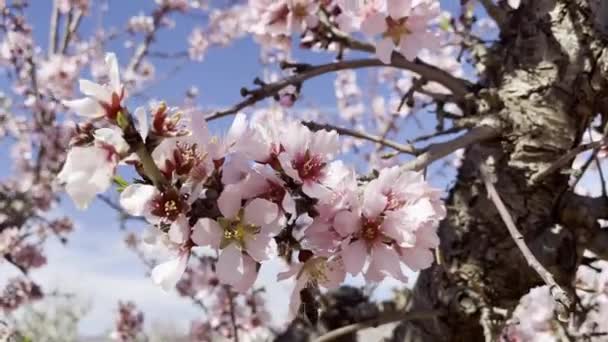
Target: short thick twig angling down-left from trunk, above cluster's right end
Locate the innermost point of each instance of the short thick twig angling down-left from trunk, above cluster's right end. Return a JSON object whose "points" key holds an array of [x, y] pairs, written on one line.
{"points": [[440, 150]]}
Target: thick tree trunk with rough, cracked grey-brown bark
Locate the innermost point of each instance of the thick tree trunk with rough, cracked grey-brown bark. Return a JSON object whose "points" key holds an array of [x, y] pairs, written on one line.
{"points": [[544, 80]]}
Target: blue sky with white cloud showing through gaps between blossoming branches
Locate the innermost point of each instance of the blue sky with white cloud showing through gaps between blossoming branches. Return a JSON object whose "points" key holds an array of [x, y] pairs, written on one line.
{"points": [[95, 264]]}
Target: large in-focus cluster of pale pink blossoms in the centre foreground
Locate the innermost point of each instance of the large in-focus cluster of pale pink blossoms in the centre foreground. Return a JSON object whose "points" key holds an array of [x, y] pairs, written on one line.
{"points": [[265, 189]]}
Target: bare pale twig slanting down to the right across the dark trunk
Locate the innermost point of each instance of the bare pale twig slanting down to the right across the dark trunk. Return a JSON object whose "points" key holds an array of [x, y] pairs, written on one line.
{"points": [[561, 297]]}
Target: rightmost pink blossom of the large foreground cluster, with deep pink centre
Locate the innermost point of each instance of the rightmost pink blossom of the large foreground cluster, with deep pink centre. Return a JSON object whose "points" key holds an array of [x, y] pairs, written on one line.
{"points": [[397, 223]]}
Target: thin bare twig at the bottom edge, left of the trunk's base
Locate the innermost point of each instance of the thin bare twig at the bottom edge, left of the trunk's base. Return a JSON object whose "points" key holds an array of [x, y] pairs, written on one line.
{"points": [[385, 318]]}
